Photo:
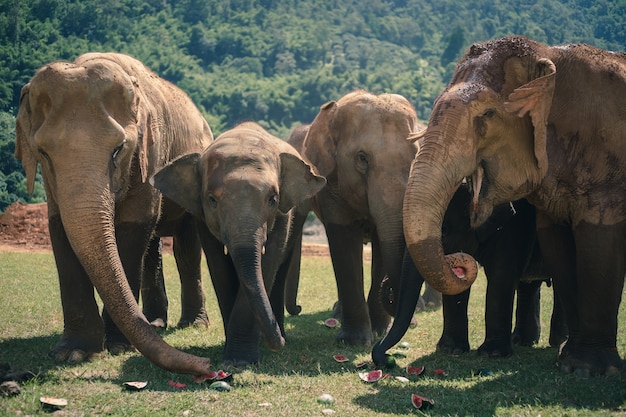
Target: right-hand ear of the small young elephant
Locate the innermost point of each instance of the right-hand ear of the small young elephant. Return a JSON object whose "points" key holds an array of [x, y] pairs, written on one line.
{"points": [[297, 182]]}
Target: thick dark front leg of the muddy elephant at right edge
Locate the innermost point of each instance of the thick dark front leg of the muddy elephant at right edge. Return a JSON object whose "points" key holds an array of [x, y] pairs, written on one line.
{"points": [[589, 278]]}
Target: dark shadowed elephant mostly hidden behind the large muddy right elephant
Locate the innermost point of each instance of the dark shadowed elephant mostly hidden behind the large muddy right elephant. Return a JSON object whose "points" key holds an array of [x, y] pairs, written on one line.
{"points": [[506, 247]]}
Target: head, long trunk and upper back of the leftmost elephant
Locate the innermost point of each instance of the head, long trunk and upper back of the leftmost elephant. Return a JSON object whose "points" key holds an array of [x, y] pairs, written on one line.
{"points": [[96, 128]]}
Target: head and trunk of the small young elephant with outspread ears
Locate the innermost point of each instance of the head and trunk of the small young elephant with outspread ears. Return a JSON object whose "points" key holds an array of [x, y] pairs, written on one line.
{"points": [[239, 186]]}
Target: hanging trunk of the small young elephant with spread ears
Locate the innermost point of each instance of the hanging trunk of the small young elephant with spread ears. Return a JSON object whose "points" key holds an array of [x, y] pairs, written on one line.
{"points": [[247, 261]]}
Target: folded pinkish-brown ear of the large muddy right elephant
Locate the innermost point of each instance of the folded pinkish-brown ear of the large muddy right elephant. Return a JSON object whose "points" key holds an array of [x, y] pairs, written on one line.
{"points": [[535, 98]]}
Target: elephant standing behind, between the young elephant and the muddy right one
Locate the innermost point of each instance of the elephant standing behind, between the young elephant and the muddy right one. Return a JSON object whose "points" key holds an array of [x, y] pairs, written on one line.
{"points": [[359, 144]]}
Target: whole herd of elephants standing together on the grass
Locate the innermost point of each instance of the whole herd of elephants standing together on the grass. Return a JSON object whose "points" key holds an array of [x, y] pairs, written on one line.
{"points": [[521, 167]]}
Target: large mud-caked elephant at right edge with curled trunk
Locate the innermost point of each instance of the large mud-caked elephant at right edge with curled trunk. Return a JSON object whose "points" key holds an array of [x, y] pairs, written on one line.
{"points": [[518, 120]]}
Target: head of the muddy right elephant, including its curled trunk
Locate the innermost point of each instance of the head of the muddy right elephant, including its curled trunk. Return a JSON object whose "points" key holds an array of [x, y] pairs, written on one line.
{"points": [[490, 126]]}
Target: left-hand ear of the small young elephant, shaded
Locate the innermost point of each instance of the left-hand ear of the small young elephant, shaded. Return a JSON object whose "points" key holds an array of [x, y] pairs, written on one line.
{"points": [[180, 181]]}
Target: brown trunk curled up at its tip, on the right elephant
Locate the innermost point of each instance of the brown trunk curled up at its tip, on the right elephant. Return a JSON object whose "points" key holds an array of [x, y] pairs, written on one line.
{"points": [[435, 175]]}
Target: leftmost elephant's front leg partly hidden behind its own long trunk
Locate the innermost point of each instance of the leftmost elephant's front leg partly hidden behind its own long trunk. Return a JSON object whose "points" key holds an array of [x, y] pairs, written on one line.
{"points": [[132, 240]]}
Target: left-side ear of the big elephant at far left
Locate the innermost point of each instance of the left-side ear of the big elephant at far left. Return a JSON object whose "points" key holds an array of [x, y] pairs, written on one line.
{"points": [[23, 130]]}
